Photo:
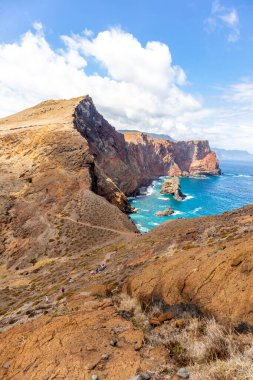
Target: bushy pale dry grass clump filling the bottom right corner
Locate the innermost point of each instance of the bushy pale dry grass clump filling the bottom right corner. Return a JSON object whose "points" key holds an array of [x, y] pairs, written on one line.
{"points": [[208, 349]]}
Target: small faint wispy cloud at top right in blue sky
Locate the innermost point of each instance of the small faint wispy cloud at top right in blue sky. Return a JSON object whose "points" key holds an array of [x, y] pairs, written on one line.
{"points": [[224, 17]]}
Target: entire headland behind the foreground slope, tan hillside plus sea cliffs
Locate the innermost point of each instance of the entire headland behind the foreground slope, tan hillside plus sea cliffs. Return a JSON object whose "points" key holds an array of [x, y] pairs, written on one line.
{"points": [[60, 157]]}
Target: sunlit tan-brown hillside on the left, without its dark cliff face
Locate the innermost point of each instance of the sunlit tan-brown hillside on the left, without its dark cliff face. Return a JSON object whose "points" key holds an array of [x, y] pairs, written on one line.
{"points": [[48, 172]]}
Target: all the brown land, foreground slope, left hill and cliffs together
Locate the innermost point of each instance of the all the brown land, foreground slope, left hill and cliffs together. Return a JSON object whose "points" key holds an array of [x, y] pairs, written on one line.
{"points": [[82, 293]]}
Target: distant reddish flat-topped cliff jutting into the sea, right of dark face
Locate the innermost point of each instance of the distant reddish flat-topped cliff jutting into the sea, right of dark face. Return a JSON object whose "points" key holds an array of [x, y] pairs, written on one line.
{"points": [[151, 157]]}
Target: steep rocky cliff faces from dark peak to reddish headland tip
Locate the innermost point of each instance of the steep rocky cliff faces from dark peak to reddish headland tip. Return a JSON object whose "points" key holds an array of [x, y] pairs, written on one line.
{"points": [[133, 159]]}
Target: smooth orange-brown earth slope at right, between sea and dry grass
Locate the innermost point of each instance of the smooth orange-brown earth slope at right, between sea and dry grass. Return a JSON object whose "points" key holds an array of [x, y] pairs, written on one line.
{"points": [[206, 261]]}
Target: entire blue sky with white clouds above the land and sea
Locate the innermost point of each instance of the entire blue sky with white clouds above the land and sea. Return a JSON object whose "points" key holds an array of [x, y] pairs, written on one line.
{"points": [[184, 68]]}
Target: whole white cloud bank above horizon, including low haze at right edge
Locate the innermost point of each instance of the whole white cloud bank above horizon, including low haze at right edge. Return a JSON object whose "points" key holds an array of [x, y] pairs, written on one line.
{"points": [[140, 87]]}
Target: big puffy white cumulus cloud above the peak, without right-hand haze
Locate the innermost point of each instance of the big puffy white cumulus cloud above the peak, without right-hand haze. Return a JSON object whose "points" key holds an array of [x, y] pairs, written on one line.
{"points": [[141, 86]]}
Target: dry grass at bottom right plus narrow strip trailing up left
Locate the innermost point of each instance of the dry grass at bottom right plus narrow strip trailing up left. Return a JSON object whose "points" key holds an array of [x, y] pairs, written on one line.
{"points": [[209, 350]]}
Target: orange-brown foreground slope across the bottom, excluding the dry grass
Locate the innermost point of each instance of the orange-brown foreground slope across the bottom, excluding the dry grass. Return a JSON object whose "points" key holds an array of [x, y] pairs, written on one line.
{"points": [[189, 267]]}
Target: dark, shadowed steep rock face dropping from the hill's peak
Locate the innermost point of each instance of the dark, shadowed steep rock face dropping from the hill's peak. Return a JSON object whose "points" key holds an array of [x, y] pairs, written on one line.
{"points": [[111, 169]]}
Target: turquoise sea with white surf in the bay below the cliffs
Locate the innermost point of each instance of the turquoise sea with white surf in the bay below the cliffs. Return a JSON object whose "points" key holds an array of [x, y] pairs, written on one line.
{"points": [[205, 196]]}
